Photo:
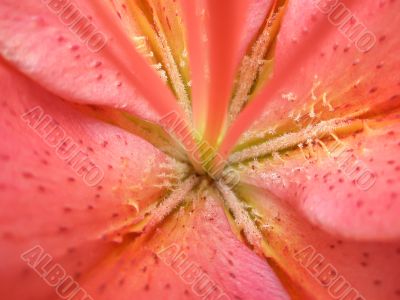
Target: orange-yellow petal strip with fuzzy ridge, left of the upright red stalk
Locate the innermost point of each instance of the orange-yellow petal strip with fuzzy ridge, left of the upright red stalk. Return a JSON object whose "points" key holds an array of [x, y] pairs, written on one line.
{"points": [[156, 30]]}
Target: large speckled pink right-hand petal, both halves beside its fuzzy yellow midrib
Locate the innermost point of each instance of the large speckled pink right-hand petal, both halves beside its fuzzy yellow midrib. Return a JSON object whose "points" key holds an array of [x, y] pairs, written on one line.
{"points": [[323, 175]]}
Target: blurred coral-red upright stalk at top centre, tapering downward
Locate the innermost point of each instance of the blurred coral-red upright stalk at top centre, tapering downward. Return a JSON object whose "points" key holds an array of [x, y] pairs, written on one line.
{"points": [[222, 26]]}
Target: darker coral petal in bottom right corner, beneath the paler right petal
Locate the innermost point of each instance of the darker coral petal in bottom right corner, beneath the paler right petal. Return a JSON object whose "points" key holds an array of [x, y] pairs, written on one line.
{"points": [[312, 259]]}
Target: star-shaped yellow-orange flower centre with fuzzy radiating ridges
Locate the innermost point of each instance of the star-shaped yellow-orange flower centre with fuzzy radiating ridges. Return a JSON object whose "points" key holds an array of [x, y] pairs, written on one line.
{"points": [[156, 28]]}
